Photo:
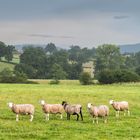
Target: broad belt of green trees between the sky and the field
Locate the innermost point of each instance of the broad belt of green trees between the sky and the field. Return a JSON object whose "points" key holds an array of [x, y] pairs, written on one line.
{"points": [[56, 63]]}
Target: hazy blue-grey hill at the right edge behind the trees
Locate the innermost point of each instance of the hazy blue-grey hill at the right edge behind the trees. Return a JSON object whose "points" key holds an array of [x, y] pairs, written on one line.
{"points": [[130, 48]]}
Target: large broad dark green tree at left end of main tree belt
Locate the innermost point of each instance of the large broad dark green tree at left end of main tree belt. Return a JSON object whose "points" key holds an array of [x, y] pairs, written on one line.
{"points": [[35, 58]]}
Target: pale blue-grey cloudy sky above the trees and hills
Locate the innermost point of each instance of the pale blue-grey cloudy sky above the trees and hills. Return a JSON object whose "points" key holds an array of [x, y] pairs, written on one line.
{"points": [[87, 23]]}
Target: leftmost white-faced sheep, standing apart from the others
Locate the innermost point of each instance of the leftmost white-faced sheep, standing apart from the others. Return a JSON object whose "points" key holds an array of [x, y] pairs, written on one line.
{"points": [[23, 109]]}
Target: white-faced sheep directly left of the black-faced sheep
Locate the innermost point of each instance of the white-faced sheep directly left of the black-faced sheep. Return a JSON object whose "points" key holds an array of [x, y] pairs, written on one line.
{"points": [[52, 109]]}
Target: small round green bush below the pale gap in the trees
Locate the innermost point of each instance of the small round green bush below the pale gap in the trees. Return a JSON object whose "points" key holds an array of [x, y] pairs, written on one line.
{"points": [[85, 79]]}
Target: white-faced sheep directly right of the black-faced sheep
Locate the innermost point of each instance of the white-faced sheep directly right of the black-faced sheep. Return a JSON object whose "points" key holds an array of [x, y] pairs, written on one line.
{"points": [[98, 111]]}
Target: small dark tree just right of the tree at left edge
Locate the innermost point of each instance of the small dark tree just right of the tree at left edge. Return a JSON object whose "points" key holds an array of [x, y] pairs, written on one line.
{"points": [[9, 53]]}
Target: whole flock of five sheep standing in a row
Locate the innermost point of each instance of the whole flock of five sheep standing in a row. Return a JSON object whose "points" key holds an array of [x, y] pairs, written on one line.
{"points": [[95, 111]]}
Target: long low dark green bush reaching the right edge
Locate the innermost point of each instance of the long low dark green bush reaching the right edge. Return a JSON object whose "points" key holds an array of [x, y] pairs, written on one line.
{"points": [[117, 76]]}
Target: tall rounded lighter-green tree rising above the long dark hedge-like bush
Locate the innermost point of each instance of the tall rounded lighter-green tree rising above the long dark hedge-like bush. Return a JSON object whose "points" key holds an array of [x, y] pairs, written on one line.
{"points": [[108, 57]]}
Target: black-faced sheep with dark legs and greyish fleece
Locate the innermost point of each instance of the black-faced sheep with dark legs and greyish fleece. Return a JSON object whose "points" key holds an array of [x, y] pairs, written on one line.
{"points": [[72, 110]]}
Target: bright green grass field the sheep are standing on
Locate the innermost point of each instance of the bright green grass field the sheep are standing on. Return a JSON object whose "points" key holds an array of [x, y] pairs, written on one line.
{"points": [[125, 128]]}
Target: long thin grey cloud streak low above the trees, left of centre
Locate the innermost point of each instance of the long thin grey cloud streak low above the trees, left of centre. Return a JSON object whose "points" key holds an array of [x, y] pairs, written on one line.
{"points": [[51, 36]]}
